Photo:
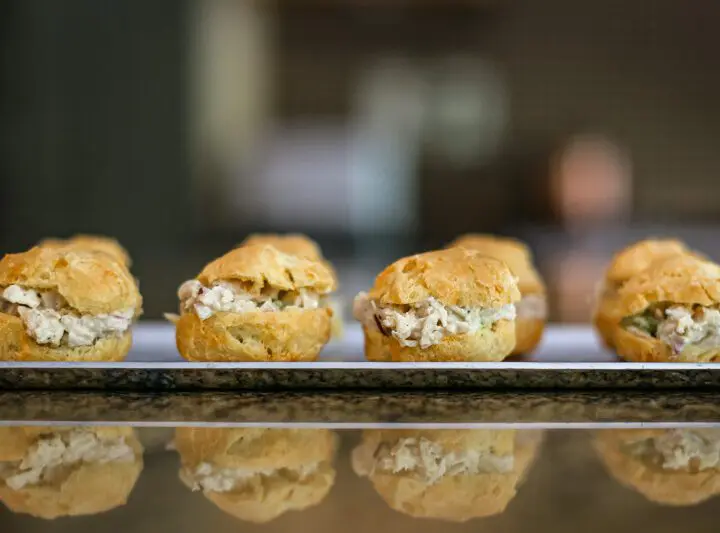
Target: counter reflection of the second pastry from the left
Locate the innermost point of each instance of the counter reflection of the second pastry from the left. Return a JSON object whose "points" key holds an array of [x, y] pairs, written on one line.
{"points": [[258, 474]]}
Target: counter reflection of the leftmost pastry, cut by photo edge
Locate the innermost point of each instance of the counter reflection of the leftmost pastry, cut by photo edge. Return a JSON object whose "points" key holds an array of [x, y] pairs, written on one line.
{"points": [[52, 472]]}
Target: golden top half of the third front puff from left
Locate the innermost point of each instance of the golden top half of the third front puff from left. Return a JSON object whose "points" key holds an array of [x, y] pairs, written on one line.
{"points": [[455, 276]]}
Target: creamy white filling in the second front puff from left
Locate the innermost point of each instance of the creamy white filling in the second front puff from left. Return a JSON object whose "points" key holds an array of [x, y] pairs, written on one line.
{"points": [[230, 297]]}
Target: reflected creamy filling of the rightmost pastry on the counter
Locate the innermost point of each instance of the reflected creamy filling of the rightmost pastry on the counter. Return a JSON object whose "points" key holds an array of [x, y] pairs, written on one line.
{"points": [[677, 449]]}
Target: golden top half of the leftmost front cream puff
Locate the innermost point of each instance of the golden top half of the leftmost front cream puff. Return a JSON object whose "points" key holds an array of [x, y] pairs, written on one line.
{"points": [[88, 282]]}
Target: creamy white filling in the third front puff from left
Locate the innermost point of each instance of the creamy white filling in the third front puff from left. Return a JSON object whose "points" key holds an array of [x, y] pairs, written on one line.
{"points": [[426, 323]]}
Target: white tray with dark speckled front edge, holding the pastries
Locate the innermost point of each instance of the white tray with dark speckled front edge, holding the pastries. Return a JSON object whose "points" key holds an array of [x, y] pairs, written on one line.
{"points": [[568, 359]]}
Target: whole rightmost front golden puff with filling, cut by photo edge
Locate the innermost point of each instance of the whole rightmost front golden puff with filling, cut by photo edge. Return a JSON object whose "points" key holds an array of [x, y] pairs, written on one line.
{"points": [[670, 312]]}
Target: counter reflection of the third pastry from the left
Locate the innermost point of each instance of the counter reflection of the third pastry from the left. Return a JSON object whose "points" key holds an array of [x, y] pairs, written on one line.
{"points": [[453, 475]]}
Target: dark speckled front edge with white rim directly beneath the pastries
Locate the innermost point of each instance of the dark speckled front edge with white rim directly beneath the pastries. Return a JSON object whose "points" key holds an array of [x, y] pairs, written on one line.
{"points": [[180, 377]]}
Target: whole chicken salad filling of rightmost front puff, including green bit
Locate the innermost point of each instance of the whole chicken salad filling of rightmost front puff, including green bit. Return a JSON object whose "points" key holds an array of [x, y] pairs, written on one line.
{"points": [[678, 326]]}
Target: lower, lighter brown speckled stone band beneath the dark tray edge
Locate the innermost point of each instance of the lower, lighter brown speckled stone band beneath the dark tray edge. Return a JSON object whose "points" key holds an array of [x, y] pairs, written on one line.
{"points": [[359, 408]]}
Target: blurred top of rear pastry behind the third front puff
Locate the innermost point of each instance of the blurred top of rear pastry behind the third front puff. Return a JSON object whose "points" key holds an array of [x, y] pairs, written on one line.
{"points": [[512, 252]]}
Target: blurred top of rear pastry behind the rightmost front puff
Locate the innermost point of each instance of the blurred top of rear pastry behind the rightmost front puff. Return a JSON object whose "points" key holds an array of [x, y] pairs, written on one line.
{"points": [[632, 260]]}
